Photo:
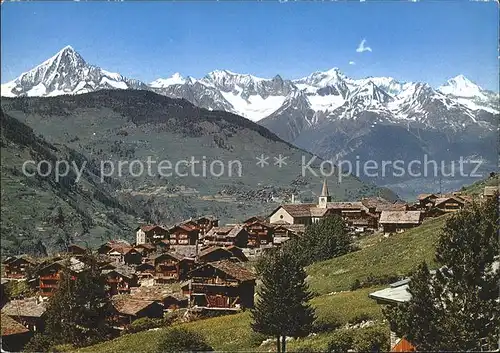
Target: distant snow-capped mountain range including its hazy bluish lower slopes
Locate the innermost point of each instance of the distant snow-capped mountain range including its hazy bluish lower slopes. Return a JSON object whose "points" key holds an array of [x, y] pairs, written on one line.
{"points": [[327, 113]]}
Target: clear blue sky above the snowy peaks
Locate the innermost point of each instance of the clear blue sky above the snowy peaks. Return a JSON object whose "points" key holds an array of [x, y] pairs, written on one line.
{"points": [[423, 41]]}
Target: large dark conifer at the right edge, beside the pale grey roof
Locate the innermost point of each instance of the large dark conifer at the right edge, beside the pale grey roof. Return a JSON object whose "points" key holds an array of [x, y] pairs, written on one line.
{"points": [[457, 309]]}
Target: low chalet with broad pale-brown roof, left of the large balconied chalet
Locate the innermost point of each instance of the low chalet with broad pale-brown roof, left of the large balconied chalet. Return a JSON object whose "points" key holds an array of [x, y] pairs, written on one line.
{"points": [[162, 295]]}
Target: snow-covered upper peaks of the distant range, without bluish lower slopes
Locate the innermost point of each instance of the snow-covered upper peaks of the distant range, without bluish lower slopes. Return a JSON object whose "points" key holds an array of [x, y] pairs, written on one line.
{"points": [[320, 94]]}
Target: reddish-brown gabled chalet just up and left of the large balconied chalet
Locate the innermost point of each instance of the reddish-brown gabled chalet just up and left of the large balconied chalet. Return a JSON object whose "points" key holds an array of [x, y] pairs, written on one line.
{"points": [[170, 267]]}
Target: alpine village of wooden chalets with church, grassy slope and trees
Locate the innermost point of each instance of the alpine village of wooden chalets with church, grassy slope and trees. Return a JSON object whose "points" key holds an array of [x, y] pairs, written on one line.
{"points": [[356, 264]]}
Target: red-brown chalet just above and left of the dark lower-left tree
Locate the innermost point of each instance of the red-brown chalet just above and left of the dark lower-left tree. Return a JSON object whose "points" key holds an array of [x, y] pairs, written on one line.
{"points": [[50, 275]]}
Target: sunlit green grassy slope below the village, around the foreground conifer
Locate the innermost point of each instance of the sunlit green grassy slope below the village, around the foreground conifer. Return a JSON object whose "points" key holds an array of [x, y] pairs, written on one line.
{"points": [[335, 305]]}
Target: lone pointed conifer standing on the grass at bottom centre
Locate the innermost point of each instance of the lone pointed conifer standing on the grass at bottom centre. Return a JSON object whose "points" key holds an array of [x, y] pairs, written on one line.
{"points": [[282, 308]]}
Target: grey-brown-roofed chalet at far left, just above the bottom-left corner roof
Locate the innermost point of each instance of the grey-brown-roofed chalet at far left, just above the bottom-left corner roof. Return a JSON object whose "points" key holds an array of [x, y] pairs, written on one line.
{"points": [[29, 312]]}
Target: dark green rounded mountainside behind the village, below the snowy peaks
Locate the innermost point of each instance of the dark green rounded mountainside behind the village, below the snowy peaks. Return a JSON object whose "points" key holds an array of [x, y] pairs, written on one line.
{"points": [[110, 127]]}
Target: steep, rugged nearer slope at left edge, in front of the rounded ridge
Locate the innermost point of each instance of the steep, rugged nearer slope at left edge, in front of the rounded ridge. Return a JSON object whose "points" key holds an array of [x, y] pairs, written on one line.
{"points": [[41, 214]]}
